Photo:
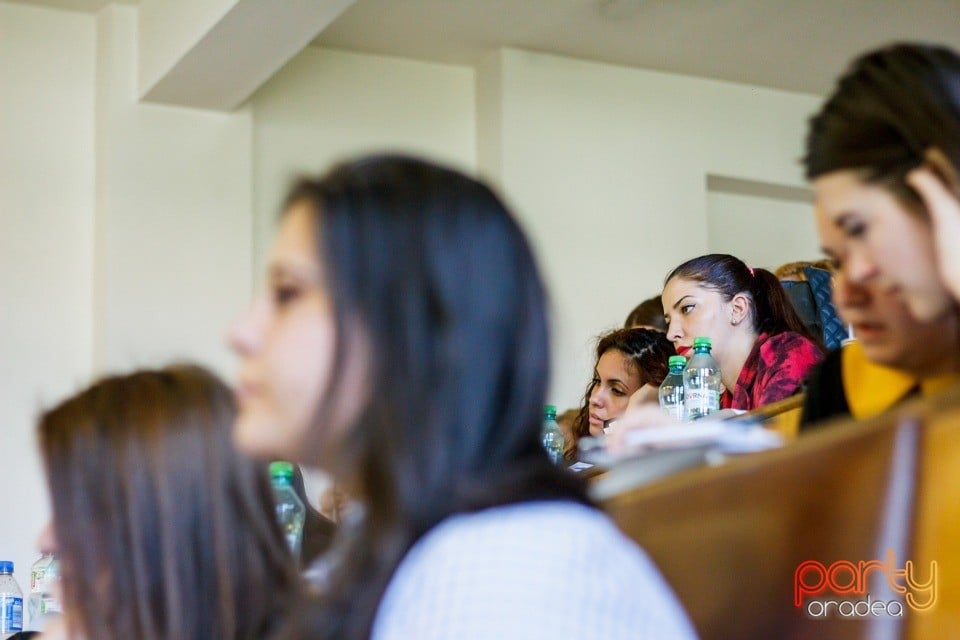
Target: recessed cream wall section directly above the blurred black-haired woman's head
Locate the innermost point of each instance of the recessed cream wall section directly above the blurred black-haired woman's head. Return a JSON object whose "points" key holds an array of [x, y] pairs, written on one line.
{"points": [[325, 106]]}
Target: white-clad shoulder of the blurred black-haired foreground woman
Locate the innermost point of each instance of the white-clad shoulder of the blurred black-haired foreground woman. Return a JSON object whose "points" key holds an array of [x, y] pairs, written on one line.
{"points": [[544, 569]]}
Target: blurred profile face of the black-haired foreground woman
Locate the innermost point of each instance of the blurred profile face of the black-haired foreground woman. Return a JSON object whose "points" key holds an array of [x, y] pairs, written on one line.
{"points": [[286, 344]]}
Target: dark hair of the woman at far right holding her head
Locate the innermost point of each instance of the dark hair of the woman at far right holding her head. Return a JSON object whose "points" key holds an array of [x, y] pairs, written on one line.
{"points": [[887, 110]]}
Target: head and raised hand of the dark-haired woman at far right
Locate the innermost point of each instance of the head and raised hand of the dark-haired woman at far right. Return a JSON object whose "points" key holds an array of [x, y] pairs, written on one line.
{"points": [[882, 156]]}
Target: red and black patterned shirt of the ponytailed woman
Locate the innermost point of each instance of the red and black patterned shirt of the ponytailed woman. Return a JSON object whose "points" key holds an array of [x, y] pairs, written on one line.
{"points": [[775, 369]]}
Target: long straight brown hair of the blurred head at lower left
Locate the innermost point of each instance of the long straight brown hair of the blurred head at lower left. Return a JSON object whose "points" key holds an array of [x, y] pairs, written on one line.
{"points": [[164, 531]]}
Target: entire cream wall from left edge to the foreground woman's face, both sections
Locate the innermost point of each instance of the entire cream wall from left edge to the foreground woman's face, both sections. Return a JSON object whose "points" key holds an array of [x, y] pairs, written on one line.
{"points": [[125, 231]]}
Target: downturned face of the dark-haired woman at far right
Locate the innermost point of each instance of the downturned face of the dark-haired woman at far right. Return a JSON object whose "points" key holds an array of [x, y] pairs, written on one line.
{"points": [[881, 242]]}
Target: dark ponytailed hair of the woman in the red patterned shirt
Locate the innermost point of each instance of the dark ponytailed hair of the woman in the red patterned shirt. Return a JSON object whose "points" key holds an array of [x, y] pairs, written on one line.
{"points": [[771, 311]]}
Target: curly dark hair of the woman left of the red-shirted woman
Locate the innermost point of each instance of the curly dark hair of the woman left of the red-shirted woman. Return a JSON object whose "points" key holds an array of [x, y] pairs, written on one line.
{"points": [[648, 351]]}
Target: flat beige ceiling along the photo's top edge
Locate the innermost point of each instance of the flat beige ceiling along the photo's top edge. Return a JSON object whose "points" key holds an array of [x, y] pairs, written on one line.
{"points": [[795, 45]]}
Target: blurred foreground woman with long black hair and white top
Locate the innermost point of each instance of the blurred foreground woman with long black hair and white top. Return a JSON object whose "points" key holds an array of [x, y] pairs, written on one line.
{"points": [[403, 348]]}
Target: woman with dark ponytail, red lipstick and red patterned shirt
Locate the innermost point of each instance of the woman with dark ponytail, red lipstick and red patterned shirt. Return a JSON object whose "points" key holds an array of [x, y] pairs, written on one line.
{"points": [[764, 350]]}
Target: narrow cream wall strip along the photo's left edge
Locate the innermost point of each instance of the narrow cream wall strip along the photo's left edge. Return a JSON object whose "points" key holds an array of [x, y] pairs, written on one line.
{"points": [[46, 245]]}
